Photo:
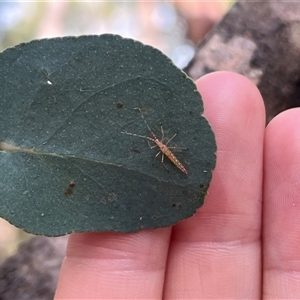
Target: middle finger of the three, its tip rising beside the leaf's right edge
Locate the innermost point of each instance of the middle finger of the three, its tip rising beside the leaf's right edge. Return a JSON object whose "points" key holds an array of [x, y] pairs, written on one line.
{"points": [[216, 253]]}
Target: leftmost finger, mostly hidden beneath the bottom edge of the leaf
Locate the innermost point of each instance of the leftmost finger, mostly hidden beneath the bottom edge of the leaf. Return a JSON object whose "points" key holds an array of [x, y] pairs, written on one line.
{"points": [[114, 266]]}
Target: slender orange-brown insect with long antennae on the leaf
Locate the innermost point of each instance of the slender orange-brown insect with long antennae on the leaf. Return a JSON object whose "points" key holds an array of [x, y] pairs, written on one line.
{"points": [[164, 149]]}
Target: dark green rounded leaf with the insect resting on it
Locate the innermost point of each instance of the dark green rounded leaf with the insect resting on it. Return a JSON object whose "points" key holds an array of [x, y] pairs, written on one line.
{"points": [[66, 164]]}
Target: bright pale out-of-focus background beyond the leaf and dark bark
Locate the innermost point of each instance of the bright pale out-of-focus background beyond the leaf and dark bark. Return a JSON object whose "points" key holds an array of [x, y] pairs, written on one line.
{"points": [[174, 27]]}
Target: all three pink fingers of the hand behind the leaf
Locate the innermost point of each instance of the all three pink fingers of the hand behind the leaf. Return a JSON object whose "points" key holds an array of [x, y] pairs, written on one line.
{"points": [[242, 244]]}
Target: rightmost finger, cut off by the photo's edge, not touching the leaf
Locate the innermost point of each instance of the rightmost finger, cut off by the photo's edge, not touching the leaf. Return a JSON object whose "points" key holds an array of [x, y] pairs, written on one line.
{"points": [[282, 207]]}
